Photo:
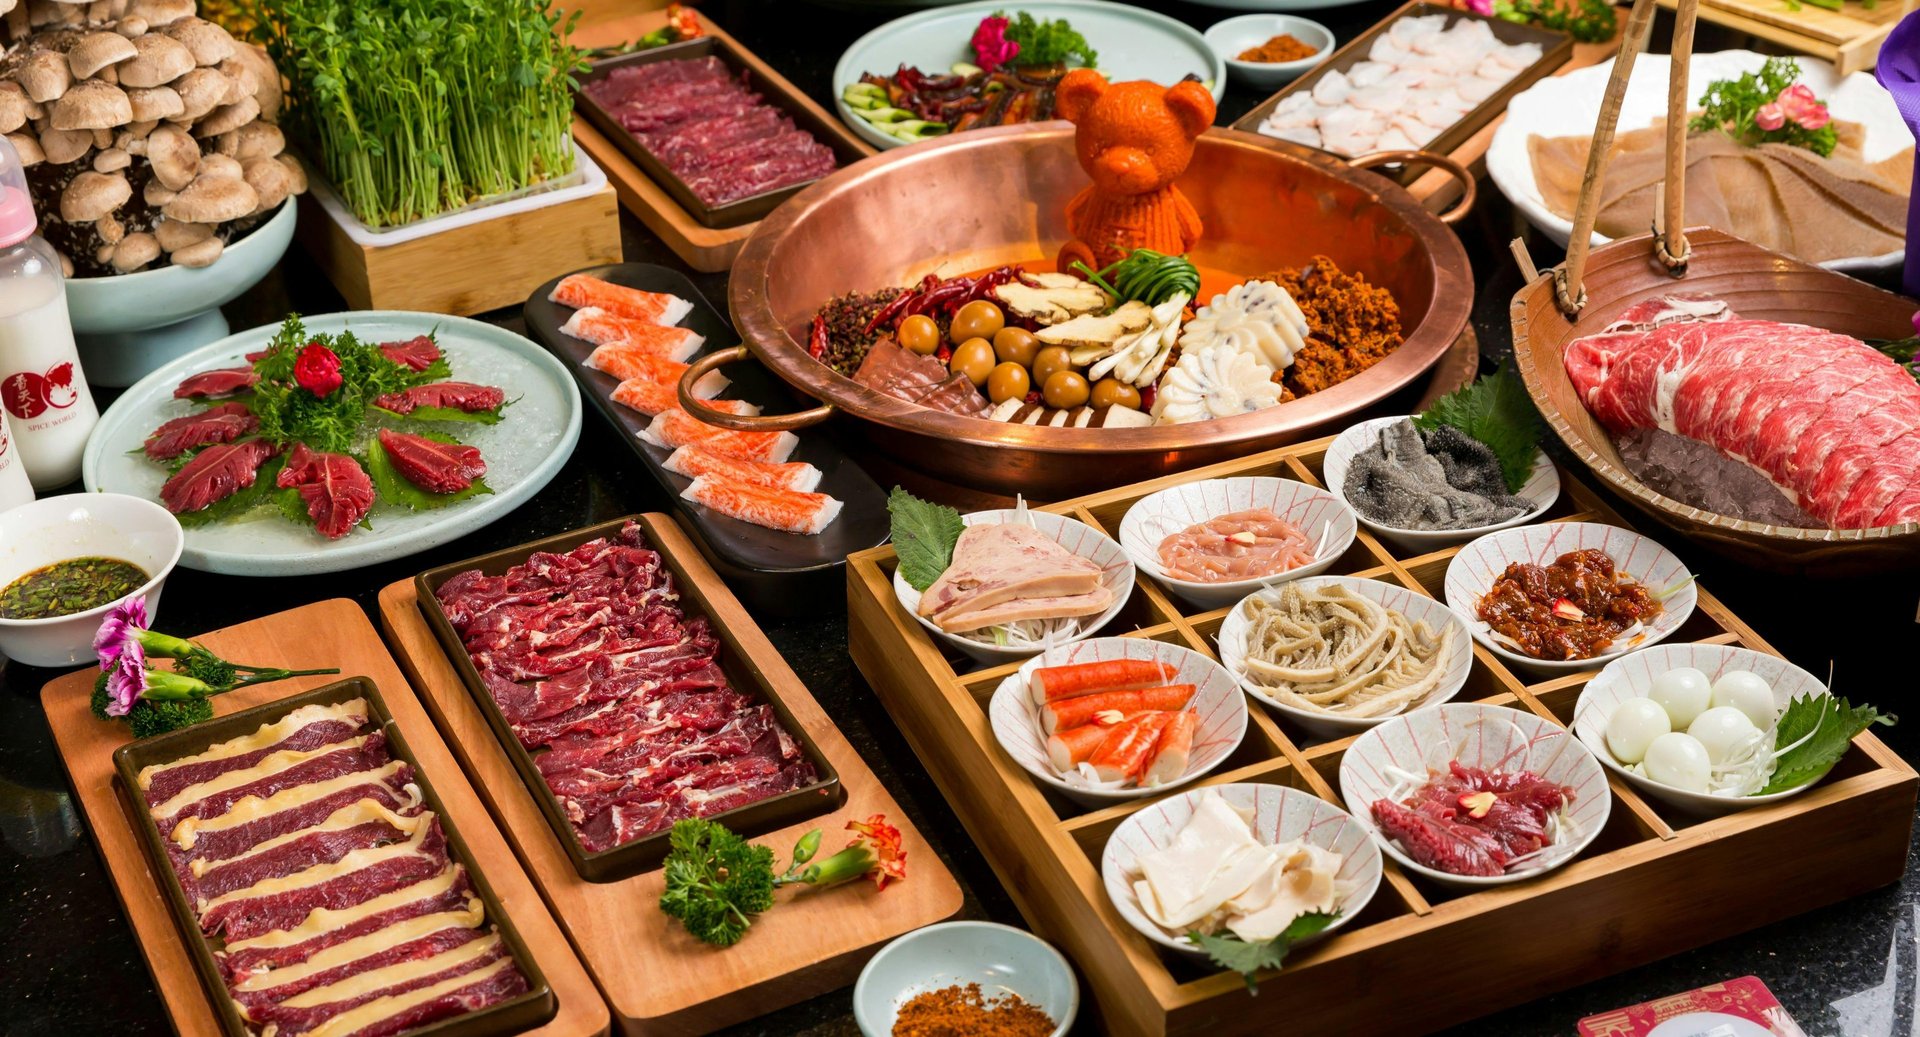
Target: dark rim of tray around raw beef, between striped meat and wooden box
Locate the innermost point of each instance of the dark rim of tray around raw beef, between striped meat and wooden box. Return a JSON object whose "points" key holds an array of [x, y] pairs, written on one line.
{"points": [[640, 856]]}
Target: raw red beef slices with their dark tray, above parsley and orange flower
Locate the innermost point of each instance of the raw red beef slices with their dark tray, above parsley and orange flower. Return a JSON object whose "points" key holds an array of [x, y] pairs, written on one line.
{"points": [[581, 715]]}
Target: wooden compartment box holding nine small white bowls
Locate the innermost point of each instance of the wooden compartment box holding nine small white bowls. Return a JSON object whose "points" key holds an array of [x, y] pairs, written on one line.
{"points": [[1422, 957]]}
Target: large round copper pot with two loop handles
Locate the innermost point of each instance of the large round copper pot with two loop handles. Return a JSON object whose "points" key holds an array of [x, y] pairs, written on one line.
{"points": [[999, 197]]}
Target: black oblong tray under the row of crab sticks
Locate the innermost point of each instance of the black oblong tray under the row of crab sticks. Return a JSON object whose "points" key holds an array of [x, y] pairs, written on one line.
{"points": [[759, 564]]}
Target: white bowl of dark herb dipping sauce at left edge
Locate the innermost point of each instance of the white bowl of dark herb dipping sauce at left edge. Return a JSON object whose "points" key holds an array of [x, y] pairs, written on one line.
{"points": [[74, 527]]}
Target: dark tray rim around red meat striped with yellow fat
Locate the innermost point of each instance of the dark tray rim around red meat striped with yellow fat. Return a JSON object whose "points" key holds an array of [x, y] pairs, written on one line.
{"points": [[510, 1017]]}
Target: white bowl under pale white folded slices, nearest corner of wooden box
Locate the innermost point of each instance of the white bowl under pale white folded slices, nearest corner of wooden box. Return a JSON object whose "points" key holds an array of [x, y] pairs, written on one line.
{"points": [[1282, 815]]}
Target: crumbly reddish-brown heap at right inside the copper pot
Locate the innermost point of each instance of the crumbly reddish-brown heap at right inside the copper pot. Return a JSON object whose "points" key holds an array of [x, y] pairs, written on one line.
{"points": [[1353, 326]]}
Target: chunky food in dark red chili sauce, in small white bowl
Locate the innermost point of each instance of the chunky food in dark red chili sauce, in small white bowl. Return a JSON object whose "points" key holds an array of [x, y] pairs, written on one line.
{"points": [[1572, 610]]}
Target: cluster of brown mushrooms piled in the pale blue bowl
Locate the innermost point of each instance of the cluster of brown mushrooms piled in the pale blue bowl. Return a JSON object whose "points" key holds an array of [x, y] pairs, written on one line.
{"points": [[149, 133]]}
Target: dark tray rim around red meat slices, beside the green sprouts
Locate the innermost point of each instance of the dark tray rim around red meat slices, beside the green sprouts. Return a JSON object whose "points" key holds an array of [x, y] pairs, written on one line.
{"points": [[744, 210]]}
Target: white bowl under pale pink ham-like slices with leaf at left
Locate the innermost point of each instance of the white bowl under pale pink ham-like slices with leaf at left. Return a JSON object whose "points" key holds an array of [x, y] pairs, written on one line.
{"points": [[1115, 577]]}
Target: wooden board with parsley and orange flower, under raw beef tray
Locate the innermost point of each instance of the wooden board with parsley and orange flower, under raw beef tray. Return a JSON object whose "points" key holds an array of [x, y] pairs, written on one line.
{"points": [[658, 978]]}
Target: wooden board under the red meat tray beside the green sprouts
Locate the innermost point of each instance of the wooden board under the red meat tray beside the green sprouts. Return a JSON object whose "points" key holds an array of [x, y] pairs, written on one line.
{"points": [[704, 249]]}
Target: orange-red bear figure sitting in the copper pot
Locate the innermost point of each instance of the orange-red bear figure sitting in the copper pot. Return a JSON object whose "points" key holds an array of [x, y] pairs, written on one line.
{"points": [[1134, 141]]}
